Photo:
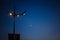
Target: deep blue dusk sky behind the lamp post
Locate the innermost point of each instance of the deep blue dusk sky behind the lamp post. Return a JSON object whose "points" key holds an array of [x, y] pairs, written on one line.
{"points": [[41, 22]]}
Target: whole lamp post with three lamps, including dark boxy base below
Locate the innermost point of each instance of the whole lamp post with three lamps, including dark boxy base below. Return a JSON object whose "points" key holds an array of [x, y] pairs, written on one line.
{"points": [[14, 36]]}
